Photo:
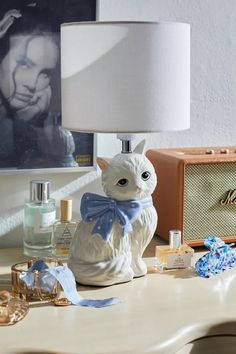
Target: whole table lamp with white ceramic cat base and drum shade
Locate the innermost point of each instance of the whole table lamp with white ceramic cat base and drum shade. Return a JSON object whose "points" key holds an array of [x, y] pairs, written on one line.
{"points": [[124, 78]]}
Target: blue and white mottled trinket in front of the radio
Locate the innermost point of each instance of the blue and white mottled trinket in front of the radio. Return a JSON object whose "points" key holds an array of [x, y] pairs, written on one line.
{"points": [[220, 258]]}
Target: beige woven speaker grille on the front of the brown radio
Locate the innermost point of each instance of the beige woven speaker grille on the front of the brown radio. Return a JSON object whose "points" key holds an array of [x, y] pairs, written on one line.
{"points": [[205, 186]]}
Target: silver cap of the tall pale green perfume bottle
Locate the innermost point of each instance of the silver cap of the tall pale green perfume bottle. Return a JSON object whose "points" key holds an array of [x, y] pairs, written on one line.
{"points": [[39, 190]]}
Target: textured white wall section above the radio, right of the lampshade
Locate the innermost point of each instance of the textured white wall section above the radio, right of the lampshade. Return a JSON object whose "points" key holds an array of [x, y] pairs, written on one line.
{"points": [[213, 63]]}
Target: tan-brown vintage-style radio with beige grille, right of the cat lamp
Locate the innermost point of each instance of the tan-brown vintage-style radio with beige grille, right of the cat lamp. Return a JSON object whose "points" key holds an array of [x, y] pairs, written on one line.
{"points": [[196, 192]]}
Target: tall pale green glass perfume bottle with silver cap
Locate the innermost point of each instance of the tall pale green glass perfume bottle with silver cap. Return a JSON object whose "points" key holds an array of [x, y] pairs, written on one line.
{"points": [[39, 216]]}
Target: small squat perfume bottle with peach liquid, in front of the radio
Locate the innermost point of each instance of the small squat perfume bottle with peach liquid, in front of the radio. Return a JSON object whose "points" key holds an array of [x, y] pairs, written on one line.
{"points": [[174, 255]]}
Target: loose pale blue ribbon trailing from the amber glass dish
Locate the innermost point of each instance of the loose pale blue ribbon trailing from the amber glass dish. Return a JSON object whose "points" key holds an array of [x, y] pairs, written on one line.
{"points": [[49, 276]]}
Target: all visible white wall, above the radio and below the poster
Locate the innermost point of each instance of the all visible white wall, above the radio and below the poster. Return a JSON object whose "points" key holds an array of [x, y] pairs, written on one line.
{"points": [[213, 94]]}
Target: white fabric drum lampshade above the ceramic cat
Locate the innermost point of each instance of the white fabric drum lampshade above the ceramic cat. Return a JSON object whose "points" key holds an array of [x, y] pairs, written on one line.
{"points": [[125, 76]]}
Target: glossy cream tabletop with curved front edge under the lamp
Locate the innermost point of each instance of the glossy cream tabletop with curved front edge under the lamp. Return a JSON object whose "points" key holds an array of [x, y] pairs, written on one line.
{"points": [[159, 313]]}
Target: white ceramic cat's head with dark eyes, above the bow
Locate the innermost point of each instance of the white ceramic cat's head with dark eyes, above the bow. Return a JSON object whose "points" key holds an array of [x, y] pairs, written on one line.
{"points": [[128, 176]]}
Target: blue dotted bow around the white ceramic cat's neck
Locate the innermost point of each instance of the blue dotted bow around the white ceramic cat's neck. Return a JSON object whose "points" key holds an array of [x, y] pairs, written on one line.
{"points": [[107, 210]]}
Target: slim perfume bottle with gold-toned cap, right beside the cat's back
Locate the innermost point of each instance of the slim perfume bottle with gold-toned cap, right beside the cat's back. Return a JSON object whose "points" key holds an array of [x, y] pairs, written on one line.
{"points": [[63, 230]]}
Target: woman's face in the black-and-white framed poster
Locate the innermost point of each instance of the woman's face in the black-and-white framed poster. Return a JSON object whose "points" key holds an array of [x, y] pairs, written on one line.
{"points": [[26, 70]]}
